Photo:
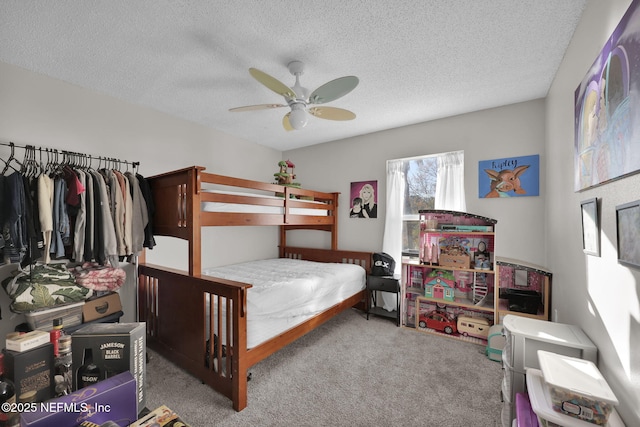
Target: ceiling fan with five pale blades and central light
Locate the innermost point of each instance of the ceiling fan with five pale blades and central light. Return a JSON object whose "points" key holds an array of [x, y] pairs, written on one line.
{"points": [[300, 101]]}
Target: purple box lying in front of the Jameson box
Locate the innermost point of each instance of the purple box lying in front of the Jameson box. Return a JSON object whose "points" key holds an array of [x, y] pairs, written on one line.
{"points": [[113, 399]]}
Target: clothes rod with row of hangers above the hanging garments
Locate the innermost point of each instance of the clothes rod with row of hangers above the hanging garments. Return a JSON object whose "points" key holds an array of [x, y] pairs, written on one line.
{"points": [[53, 155]]}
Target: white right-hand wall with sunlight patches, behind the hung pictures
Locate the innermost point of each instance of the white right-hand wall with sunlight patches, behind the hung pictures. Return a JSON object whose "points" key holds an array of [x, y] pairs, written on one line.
{"points": [[595, 293]]}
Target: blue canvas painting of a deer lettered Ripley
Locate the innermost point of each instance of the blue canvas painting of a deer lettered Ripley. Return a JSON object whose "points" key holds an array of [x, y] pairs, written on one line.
{"points": [[509, 177]]}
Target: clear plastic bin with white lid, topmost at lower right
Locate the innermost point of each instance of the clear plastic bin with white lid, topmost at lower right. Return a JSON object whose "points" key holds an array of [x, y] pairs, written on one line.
{"points": [[577, 388]]}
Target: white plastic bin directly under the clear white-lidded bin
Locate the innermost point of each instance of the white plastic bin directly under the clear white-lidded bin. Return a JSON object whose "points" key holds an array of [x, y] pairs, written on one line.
{"points": [[541, 405]]}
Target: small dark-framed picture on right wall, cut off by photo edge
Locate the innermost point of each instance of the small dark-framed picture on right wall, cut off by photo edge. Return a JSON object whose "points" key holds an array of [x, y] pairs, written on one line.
{"points": [[628, 233]]}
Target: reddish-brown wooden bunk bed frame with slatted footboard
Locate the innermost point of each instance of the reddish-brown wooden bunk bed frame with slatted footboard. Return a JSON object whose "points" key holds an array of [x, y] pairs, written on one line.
{"points": [[180, 322]]}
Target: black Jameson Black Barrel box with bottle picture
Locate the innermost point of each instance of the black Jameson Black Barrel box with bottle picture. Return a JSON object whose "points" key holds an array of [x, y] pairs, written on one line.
{"points": [[103, 350]]}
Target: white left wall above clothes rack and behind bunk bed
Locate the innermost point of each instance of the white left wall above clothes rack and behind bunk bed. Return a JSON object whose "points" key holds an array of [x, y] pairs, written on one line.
{"points": [[37, 110]]}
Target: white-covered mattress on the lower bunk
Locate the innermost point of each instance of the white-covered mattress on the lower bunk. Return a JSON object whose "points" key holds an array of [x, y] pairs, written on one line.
{"points": [[286, 292]]}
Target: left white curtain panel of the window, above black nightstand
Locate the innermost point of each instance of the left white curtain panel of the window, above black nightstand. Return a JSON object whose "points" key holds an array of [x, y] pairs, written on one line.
{"points": [[392, 239]]}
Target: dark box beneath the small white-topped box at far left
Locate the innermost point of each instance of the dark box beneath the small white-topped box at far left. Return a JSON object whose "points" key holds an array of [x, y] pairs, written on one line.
{"points": [[31, 370]]}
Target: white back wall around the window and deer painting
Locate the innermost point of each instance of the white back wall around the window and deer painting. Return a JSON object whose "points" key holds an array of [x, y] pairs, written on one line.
{"points": [[515, 130]]}
